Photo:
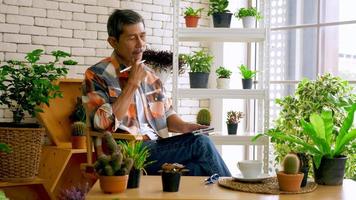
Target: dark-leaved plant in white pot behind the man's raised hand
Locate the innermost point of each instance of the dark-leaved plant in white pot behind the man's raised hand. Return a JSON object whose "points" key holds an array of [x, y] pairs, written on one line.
{"points": [[161, 63]]}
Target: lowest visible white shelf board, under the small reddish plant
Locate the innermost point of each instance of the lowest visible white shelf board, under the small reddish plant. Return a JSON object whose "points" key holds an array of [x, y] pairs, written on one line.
{"points": [[238, 140]]}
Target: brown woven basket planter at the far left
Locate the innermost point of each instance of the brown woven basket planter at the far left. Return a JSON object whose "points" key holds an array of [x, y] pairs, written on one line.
{"points": [[23, 162]]}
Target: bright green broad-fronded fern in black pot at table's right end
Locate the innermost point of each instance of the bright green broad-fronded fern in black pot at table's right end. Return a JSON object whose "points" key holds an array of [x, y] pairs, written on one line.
{"points": [[325, 143]]}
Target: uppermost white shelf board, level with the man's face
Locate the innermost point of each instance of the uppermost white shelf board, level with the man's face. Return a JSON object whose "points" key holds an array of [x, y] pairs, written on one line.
{"points": [[222, 34]]}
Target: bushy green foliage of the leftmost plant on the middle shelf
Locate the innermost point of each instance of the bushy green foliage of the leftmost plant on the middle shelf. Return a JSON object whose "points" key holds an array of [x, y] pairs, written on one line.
{"points": [[200, 61]]}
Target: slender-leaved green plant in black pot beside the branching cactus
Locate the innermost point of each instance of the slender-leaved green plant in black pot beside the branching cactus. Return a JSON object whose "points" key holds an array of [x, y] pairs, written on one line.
{"points": [[139, 154]]}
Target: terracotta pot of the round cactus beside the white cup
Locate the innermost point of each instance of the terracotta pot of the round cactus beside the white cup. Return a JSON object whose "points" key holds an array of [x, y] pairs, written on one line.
{"points": [[289, 182]]}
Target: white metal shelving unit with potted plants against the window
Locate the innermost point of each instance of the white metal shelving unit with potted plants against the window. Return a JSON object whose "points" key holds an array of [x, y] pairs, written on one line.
{"points": [[257, 35]]}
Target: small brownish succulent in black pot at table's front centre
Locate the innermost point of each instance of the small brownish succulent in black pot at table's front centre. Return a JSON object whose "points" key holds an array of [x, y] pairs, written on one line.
{"points": [[171, 173]]}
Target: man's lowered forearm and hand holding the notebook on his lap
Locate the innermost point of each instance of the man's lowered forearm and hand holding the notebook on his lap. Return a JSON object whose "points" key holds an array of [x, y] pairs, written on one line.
{"points": [[176, 124]]}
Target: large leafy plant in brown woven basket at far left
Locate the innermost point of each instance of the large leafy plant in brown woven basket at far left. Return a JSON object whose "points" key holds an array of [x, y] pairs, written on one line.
{"points": [[24, 87]]}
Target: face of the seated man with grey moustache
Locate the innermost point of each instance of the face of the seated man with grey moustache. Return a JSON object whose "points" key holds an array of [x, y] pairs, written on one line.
{"points": [[132, 42]]}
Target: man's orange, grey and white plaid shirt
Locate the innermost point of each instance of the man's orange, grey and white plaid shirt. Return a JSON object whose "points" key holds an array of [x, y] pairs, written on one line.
{"points": [[103, 85]]}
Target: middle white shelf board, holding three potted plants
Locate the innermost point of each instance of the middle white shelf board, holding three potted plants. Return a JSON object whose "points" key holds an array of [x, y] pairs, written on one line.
{"points": [[222, 93]]}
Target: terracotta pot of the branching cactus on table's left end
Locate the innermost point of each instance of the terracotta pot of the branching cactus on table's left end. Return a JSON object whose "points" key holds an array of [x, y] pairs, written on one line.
{"points": [[113, 184]]}
